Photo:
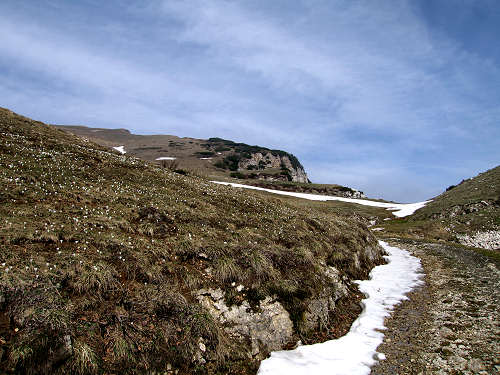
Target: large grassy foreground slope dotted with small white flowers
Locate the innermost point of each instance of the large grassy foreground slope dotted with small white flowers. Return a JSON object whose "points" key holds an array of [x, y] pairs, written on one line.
{"points": [[115, 265]]}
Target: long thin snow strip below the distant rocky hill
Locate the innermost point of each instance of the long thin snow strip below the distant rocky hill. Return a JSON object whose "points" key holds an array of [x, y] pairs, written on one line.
{"points": [[399, 209]]}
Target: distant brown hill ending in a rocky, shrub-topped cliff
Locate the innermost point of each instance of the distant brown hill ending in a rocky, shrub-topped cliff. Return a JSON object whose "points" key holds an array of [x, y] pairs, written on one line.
{"points": [[214, 157]]}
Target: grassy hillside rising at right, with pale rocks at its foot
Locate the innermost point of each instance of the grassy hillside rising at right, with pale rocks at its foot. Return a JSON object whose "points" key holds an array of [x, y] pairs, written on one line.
{"points": [[468, 213]]}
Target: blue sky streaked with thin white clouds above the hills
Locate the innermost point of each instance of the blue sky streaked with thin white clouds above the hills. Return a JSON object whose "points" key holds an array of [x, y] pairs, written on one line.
{"points": [[399, 99]]}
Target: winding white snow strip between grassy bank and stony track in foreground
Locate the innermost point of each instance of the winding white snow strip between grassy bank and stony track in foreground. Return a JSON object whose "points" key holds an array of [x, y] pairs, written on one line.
{"points": [[355, 353]]}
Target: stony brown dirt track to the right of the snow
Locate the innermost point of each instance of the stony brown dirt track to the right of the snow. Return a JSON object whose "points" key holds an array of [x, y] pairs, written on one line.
{"points": [[451, 325]]}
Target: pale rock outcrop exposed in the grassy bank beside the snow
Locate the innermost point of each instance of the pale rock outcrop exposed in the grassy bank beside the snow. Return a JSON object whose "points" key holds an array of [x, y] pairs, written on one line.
{"points": [[268, 326]]}
